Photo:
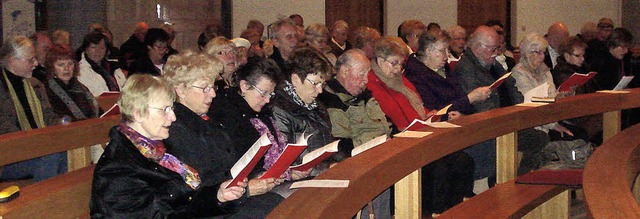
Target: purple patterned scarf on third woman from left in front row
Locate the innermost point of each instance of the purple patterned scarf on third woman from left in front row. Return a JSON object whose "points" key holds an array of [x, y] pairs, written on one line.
{"points": [[277, 147]]}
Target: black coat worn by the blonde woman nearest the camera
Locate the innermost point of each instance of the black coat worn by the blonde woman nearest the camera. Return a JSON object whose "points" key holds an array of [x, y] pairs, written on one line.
{"points": [[128, 185]]}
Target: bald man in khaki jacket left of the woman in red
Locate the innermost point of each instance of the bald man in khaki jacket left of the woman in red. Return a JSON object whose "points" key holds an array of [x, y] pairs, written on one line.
{"points": [[356, 117]]}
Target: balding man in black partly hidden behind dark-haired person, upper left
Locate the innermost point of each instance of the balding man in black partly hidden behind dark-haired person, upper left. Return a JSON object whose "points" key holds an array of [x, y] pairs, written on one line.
{"points": [[134, 47]]}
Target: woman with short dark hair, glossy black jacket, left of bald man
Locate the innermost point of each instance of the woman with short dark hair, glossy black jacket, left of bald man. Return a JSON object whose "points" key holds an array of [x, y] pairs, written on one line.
{"points": [[295, 107]]}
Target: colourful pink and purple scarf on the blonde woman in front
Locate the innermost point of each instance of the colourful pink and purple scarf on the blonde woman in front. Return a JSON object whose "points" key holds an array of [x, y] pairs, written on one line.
{"points": [[155, 150]]}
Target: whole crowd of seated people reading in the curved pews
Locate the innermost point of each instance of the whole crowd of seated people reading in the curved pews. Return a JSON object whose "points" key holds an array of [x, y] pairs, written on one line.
{"points": [[188, 116]]}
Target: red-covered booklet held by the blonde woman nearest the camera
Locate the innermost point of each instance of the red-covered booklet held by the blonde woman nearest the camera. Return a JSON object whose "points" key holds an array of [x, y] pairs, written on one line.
{"points": [[249, 160]]}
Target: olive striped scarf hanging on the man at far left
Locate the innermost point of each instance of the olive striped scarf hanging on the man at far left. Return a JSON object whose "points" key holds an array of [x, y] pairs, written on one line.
{"points": [[34, 104]]}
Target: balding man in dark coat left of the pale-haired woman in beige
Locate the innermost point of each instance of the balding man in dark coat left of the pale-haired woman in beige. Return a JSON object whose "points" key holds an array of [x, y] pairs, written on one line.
{"points": [[478, 68]]}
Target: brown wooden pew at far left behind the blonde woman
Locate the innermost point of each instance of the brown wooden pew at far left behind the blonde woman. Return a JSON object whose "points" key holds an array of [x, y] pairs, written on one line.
{"points": [[63, 196]]}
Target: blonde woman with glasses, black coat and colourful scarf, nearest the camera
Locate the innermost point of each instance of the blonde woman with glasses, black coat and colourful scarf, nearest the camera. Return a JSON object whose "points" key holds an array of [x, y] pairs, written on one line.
{"points": [[137, 178]]}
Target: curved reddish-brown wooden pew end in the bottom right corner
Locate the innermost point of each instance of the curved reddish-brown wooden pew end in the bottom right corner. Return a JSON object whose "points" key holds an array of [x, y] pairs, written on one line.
{"points": [[610, 175]]}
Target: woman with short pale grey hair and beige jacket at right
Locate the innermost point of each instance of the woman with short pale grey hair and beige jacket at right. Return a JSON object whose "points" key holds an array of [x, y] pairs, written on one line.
{"points": [[531, 72]]}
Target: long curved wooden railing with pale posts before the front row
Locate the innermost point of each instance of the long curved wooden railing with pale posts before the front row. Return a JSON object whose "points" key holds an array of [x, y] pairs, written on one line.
{"points": [[377, 169]]}
